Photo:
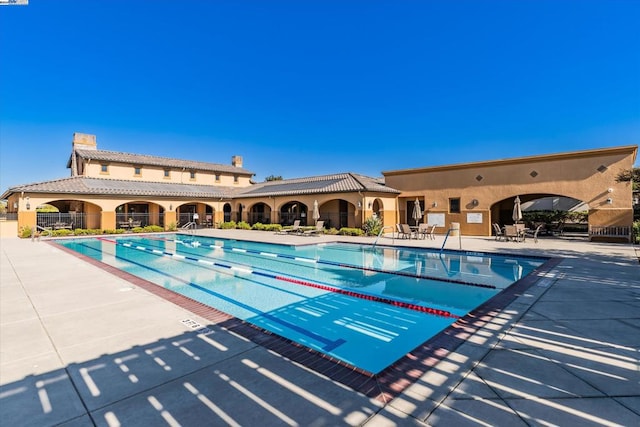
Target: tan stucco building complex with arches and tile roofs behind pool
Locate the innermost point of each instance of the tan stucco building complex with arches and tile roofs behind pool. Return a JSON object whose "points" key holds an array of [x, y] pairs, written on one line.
{"points": [[109, 190]]}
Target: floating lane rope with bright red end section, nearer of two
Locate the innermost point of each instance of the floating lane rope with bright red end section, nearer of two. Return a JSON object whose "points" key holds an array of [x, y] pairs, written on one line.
{"points": [[402, 304]]}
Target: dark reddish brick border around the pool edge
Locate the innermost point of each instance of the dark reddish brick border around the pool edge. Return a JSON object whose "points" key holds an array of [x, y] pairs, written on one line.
{"points": [[383, 386]]}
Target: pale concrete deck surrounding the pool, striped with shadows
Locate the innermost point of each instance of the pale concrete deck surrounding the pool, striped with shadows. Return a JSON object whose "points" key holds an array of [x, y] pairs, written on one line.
{"points": [[80, 346]]}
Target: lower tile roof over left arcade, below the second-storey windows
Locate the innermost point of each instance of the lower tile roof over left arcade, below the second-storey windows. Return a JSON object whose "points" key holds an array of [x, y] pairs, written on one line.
{"points": [[97, 186]]}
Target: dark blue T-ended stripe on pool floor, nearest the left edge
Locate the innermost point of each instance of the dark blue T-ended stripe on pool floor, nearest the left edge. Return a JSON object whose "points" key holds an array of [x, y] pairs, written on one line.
{"points": [[328, 344]]}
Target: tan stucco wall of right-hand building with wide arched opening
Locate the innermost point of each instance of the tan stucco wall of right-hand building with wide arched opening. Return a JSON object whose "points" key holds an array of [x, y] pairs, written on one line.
{"points": [[586, 176]]}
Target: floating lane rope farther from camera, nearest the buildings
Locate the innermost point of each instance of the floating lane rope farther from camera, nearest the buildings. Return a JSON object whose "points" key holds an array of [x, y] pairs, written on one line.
{"points": [[339, 264]]}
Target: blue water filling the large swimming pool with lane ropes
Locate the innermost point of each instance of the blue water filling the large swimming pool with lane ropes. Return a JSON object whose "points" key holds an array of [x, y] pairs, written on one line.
{"points": [[365, 306]]}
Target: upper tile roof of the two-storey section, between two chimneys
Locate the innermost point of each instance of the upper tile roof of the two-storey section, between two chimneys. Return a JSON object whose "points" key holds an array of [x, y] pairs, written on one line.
{"points": [[143, 159]]}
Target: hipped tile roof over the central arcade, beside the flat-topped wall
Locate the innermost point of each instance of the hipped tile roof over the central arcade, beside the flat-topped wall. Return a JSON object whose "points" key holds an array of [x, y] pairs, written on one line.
{"points": [[336, 183]]}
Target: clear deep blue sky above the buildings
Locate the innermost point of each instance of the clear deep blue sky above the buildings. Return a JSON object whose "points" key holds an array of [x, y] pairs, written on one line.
{"points": [[301, 88]]}
